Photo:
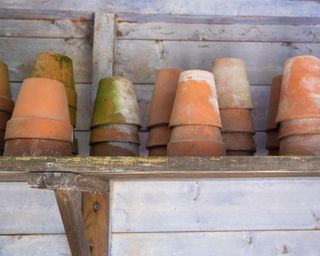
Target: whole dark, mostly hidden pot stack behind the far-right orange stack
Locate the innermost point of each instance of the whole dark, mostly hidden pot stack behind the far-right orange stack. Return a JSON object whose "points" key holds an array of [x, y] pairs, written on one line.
{"points": [[272, 126]]}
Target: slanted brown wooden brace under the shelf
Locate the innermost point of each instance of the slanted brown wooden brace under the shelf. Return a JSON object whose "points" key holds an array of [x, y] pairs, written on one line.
{"points": [[70, 210]]}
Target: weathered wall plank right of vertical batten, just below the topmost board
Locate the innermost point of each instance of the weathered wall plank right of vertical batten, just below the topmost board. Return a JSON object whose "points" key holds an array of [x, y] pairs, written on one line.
{"points": [[219, 28]]}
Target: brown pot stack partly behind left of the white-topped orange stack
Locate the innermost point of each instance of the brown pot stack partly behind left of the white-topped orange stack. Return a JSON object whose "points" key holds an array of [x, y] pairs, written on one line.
{"points": [[160, 110]]}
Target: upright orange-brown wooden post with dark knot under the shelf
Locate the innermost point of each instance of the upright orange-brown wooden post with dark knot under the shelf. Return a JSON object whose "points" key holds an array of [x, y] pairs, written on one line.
{"points": [[95, 210]]}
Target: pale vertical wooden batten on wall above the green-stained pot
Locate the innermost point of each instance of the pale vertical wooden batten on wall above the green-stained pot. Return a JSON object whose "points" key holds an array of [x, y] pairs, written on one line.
{"points": [[103, 48]]}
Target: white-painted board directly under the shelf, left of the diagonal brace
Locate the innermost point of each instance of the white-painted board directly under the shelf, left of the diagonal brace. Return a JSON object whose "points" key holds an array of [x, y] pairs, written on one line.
{"points": [[28, 211]]}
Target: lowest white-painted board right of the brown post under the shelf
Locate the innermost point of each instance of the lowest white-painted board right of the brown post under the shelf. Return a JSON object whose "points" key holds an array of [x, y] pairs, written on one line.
{"points": [[296, 243]]}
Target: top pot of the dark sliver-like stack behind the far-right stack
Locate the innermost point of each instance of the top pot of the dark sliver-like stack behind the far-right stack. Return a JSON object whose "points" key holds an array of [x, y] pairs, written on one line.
{"points": [[274, 102]]}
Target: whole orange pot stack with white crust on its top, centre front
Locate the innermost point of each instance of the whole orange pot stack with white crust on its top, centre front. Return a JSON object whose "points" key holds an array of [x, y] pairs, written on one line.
{"points": [[195, 118]]}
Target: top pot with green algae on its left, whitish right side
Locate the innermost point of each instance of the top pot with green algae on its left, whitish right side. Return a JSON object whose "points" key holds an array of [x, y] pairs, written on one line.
{"points": [[116, 103]]}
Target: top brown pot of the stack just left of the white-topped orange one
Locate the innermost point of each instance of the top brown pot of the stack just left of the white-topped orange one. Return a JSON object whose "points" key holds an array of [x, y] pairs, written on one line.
{"points": [[163, 96]]}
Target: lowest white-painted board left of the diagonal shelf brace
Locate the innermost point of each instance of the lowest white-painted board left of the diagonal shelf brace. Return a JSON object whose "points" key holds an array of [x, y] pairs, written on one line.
{"points": [[34, 245]]}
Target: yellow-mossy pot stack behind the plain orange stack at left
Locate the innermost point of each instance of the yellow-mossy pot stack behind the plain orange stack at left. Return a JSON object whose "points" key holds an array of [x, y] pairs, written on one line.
{"points": [[59, 67]]}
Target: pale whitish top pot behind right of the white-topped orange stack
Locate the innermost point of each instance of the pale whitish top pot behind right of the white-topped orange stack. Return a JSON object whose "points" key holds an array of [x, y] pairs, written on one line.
{"points": [[232, 83]]}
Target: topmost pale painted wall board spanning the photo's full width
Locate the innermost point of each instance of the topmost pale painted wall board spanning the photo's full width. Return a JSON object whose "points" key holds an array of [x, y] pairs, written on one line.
{"points": [[205, 7]]}
